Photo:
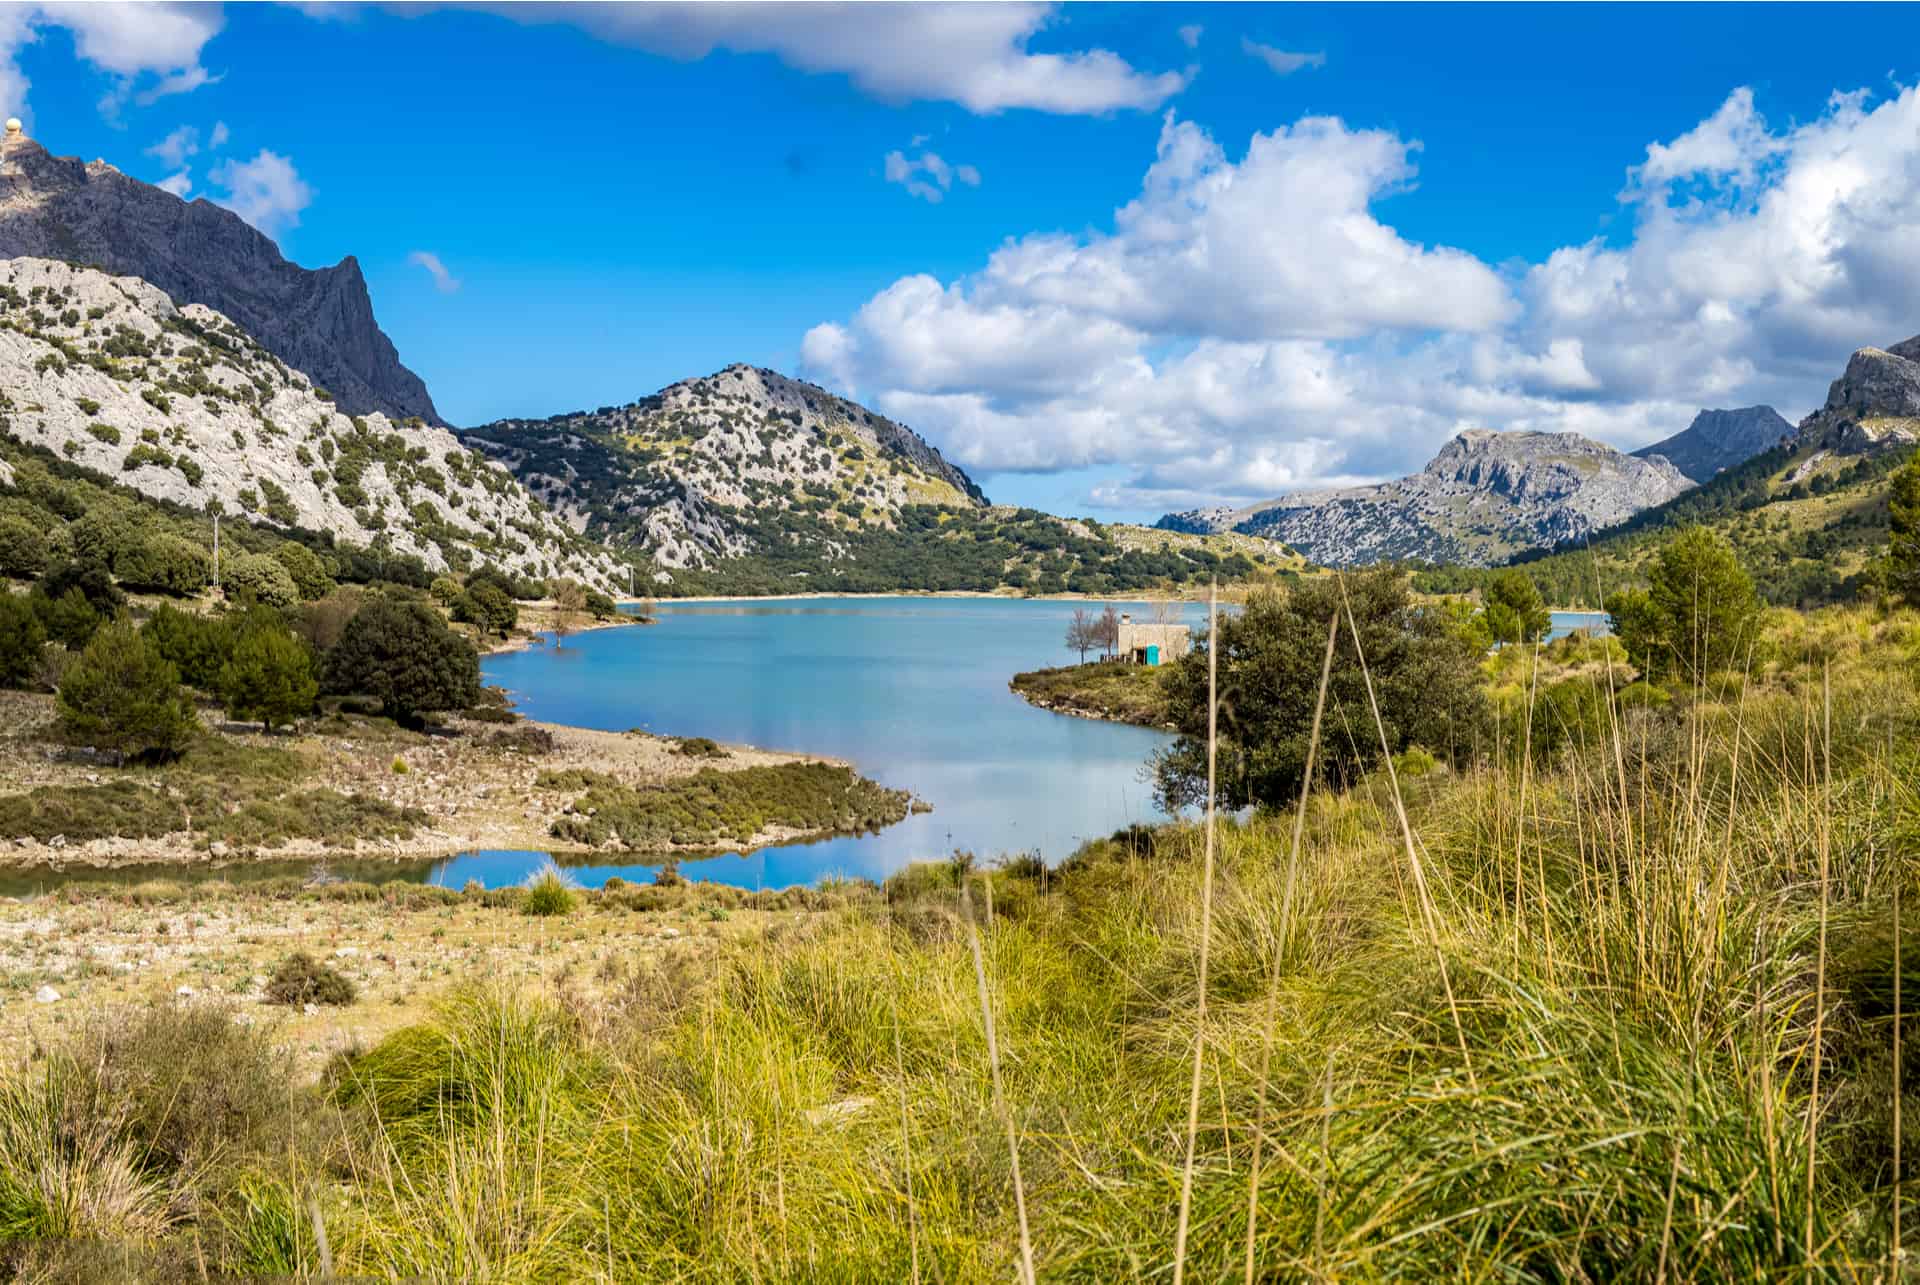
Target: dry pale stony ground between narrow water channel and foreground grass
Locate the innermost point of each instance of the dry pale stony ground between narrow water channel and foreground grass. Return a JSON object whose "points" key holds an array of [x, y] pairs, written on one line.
{"points": [[72, 958]]}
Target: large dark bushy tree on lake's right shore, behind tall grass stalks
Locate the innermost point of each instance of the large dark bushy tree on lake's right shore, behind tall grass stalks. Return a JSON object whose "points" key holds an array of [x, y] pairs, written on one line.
{"points": [[1426, 675]]}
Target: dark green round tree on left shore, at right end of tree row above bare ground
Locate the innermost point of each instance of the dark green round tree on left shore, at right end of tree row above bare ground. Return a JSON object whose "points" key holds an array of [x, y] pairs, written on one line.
{"points": [[408, 658]]}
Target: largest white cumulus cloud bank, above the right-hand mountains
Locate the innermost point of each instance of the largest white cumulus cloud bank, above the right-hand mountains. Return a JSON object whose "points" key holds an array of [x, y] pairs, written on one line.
{"points": [[1249, 326]]}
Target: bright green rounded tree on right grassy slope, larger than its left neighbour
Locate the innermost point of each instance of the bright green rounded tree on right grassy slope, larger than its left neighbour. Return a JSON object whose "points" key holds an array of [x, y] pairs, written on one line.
{"points": [[1696, 616]]}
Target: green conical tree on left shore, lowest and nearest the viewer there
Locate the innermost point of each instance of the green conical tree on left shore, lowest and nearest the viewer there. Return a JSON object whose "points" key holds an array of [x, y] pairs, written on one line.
{"points": [[124, 696]]}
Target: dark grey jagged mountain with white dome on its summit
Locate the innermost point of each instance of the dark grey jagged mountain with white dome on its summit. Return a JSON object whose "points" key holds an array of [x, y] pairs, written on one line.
{"points": [[318, 322]]}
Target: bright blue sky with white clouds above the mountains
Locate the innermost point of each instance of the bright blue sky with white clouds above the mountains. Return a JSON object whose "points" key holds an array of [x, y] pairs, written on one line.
{"points": [[1353, 231]]}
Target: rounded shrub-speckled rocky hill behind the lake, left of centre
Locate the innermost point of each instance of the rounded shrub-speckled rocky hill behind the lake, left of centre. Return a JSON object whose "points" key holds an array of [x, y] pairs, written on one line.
{"points": [[690, 472]]}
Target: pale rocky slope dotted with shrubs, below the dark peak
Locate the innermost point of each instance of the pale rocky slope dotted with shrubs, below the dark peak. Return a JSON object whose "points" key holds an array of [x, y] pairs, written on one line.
{"points": [[181, 404]]}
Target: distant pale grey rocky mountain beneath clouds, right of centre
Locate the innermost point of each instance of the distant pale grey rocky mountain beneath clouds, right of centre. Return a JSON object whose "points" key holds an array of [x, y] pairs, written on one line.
{"points": [[1483, 498]]}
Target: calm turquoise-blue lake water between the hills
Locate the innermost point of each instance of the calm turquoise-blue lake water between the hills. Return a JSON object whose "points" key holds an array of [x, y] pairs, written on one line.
{"points": [[913, 691]]}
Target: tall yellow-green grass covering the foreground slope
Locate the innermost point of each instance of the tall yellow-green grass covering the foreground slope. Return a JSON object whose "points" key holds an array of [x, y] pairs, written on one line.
{"points": [[1556, 1017]]}
